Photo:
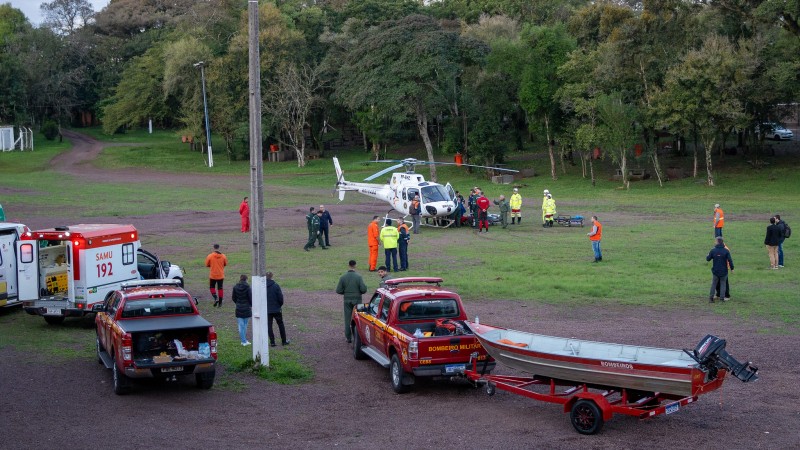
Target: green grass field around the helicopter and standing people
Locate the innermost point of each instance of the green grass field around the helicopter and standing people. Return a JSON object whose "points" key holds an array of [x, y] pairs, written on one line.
{"points": [[655, 238]]}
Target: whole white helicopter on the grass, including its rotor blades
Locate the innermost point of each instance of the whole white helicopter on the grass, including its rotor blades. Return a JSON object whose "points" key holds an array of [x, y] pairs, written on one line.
{"points": [[437, 202]]}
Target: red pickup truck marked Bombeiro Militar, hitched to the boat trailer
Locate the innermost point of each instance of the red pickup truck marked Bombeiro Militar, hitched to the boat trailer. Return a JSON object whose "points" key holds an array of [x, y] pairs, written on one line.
{"points": [[415, 328]]}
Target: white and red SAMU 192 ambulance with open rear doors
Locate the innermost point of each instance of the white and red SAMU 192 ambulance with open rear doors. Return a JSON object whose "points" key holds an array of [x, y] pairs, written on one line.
{"points": [[63, 271]]}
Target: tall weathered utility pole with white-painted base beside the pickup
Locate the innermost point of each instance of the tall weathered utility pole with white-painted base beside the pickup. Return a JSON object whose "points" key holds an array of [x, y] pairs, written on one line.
{"points": [[259, 255]]}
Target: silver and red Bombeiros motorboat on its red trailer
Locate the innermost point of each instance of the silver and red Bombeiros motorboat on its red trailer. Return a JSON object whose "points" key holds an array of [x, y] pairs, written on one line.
{"points": [[603, 378]]}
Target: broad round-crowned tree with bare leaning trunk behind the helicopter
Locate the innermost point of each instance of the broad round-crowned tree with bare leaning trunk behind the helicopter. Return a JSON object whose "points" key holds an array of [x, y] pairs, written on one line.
{"points": [[403, 68]]}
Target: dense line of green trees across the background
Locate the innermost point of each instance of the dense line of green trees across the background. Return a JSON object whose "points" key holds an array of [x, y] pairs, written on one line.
{"points": [[480, 77]]}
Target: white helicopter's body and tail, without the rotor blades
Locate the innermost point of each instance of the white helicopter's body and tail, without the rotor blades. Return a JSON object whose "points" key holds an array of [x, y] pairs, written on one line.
{"points": [[436, 201]]}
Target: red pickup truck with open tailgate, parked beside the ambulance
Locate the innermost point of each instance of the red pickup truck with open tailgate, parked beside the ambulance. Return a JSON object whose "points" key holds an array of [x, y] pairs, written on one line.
{"points": [[152, 329]]}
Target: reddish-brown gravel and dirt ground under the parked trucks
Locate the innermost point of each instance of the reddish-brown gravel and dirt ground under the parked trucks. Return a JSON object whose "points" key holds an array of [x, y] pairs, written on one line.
{"points": [[350, 404]]}
